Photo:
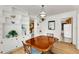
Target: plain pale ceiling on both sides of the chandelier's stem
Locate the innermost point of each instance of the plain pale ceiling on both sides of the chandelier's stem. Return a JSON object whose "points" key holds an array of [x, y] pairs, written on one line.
{"points": [[50, 9]]}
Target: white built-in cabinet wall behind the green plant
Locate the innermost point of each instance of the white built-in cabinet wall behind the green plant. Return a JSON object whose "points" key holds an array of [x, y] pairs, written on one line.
{"points": [[18, 22]]}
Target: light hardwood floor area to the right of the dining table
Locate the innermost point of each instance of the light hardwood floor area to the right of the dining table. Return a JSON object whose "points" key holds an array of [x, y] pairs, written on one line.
{"points": [[64, 48]]}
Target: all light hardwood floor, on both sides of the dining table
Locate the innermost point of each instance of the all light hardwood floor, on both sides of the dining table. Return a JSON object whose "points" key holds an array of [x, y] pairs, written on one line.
{"points": [[59, 48]]}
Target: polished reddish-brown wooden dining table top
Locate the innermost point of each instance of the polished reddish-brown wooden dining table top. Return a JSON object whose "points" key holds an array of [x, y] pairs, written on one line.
{"points": [[41, 43]]}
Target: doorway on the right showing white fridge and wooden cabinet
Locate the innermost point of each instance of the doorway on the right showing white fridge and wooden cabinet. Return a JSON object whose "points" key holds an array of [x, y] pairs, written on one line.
{"points": [[66, 30]]}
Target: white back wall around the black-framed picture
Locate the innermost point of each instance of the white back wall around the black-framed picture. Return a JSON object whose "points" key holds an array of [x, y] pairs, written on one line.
{"points": [[43, 26]]}
